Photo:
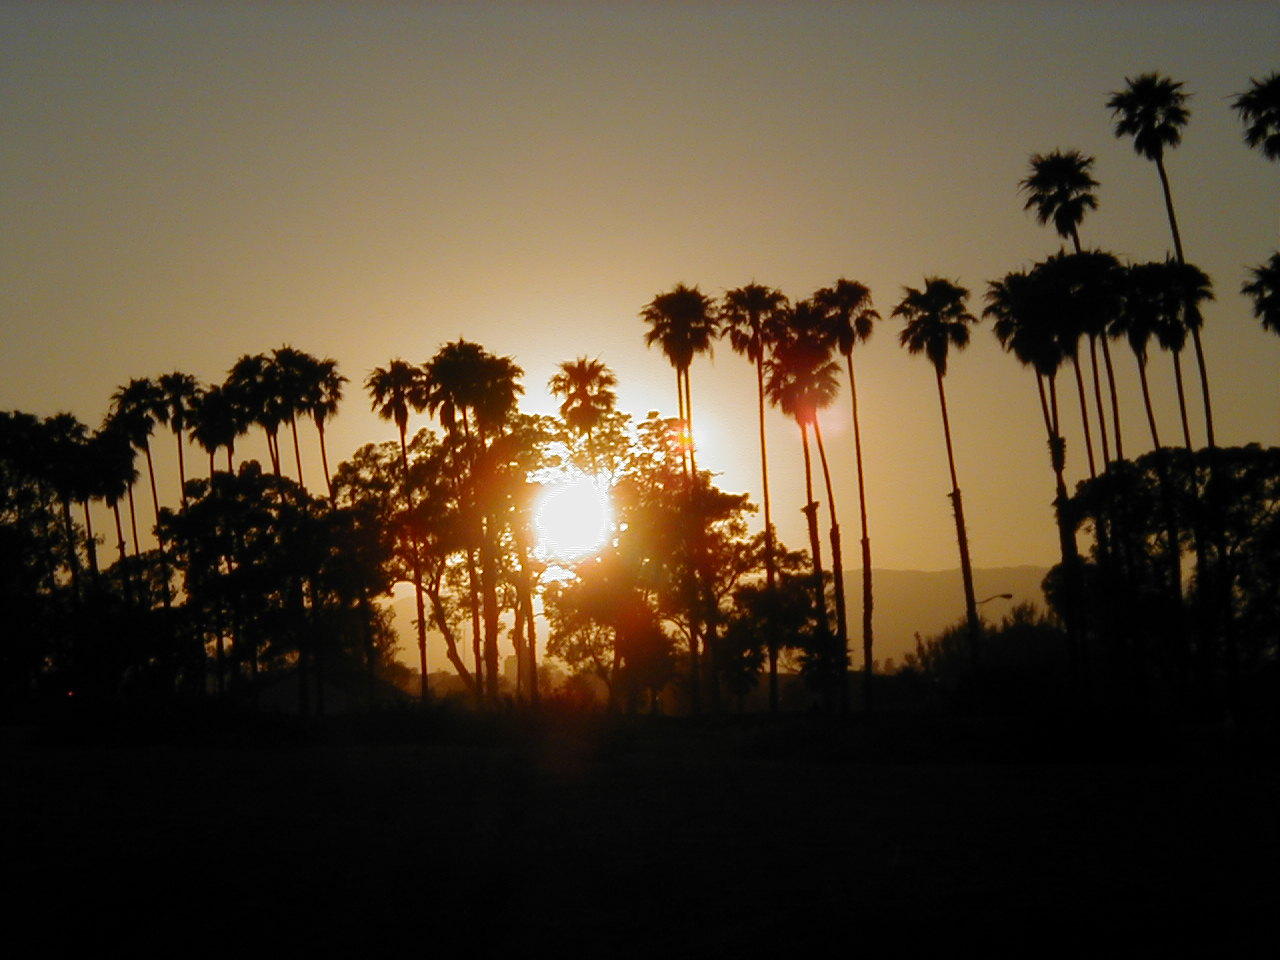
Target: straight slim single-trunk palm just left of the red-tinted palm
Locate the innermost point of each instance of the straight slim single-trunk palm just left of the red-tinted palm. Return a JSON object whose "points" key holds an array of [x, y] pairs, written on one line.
{"points": [[751, 318]]}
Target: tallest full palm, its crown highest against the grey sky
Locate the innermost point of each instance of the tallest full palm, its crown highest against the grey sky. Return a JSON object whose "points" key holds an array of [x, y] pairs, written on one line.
{"points": [[1153, 109]]}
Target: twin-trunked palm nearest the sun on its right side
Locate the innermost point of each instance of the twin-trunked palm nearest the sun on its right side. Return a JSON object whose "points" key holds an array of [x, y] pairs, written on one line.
{"points": [[683, 323]]}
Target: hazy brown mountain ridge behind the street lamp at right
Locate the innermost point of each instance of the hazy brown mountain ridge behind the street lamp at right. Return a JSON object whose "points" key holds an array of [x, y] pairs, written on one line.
{"points": [[909, 602]]}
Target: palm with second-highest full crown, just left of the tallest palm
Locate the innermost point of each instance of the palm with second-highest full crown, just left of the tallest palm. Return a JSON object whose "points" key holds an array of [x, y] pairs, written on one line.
{"points": [[1060, 190]]}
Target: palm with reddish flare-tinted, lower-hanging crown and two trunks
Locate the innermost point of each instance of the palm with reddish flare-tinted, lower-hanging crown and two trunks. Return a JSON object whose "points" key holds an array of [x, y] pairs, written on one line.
{"points": [[802, 380]]}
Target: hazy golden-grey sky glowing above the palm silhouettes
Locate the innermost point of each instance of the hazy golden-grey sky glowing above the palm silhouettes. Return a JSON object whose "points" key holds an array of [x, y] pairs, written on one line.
{"points": [[182, 184]]}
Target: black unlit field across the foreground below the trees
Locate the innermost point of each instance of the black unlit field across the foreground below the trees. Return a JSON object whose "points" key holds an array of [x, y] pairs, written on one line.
{"points": [[656, 839]]}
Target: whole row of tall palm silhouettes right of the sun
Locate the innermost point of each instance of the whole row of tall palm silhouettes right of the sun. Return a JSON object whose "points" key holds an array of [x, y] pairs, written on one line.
{"points": [[1041, 317]]}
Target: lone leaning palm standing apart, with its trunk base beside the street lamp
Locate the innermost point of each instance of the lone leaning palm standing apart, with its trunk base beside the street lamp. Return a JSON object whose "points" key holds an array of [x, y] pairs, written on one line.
{"points": [[936, 322]]}
